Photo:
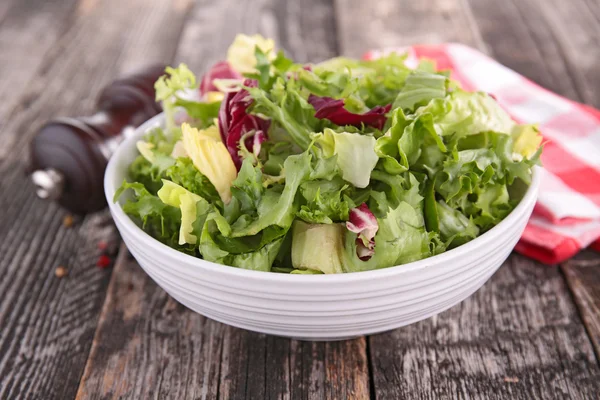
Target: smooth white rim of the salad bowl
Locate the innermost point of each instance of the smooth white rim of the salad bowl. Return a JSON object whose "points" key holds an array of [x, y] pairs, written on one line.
{"points": [[209, 266]]}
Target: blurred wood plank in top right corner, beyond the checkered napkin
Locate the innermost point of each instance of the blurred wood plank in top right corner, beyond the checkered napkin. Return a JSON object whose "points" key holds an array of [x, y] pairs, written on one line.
{"points": [[553, 43]]}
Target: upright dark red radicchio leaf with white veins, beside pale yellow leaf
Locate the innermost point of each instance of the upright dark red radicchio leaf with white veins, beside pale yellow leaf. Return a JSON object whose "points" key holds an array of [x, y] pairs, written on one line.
{"points": [[234, 122]]}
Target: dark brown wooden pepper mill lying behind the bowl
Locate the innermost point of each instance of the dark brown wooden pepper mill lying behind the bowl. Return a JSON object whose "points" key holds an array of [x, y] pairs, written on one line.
{"points": [[68, 156]]}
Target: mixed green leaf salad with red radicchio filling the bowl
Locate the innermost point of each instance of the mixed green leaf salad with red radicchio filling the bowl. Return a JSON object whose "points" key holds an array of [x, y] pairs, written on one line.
{"points": [[341, 166]]}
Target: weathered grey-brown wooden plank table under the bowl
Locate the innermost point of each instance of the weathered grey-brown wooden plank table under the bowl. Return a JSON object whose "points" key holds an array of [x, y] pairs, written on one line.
{"points": [[532, 331]]}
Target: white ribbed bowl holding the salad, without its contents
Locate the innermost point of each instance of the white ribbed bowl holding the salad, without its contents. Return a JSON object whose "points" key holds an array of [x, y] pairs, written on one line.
{"points": [[316, 307]]}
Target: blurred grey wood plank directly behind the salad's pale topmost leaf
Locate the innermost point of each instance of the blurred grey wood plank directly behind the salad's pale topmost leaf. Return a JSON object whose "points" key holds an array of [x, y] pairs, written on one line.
{"points": [[305, 31]]}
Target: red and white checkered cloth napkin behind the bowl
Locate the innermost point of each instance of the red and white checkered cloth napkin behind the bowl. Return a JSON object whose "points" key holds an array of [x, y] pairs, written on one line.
{"points": [[566, 218]]}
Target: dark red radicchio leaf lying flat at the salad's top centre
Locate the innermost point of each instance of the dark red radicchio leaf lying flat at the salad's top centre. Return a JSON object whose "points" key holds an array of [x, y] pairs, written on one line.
{"points": [[334, 110]]}
